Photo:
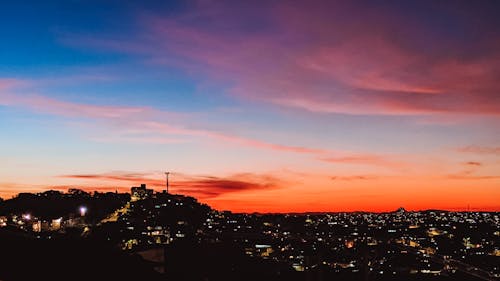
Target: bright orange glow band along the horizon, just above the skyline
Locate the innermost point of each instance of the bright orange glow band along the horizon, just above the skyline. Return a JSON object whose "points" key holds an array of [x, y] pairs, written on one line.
{"points": [[372, 194]]}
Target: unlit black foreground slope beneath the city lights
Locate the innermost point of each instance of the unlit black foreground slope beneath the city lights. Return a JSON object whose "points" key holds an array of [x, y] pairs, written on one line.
{"points": [[64, 258]]}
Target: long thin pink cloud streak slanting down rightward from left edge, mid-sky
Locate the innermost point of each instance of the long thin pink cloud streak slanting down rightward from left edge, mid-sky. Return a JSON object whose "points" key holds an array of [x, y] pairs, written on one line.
{"points": [[146, 125]]}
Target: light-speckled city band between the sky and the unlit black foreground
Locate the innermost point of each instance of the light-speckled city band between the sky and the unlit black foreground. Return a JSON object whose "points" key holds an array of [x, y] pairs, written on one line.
{"points": [[444, 243]]}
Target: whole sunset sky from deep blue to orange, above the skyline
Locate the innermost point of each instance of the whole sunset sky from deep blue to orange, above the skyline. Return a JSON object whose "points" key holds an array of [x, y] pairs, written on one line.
{"points": [[255, 106]]}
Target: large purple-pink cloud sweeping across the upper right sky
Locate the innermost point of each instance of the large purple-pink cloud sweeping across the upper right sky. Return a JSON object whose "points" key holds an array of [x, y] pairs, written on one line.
{"points": [[370, 63]]}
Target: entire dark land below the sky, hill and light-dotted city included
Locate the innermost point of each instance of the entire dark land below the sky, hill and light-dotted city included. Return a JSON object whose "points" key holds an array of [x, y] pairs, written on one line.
{"points": [[162, 236]]}
